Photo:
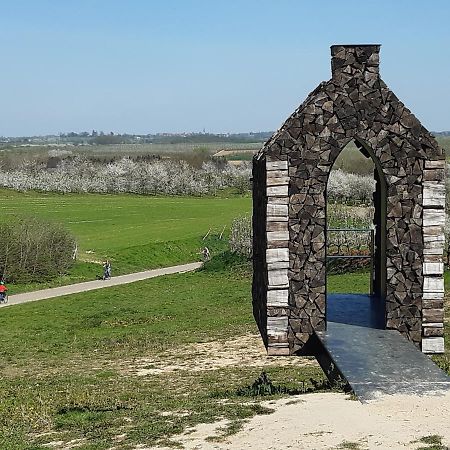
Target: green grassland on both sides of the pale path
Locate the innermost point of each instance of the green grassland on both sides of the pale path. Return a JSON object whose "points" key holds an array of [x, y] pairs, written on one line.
{"points": [[141, 363]]}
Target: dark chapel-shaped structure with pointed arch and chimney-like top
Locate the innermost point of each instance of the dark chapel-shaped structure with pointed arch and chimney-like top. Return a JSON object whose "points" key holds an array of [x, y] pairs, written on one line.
{"points": [[355, 104]]}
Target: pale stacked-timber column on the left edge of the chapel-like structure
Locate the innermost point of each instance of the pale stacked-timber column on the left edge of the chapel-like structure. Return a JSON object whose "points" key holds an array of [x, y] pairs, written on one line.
{"points": [[277, 257]]}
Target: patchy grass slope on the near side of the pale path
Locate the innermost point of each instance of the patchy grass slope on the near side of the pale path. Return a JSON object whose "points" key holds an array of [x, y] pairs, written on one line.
{"points": [[68, 364]]}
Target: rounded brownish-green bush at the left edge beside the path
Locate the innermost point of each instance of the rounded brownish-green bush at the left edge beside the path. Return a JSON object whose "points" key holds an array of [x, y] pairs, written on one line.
{"points": [[34, 250]]}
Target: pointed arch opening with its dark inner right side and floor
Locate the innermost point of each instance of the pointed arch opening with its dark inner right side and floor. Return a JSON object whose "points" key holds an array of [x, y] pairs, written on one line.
{"points": [[349, 243]]}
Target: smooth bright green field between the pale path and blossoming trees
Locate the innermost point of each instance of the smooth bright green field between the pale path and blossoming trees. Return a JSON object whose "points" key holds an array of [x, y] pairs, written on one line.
{"points": [[134, 232]]}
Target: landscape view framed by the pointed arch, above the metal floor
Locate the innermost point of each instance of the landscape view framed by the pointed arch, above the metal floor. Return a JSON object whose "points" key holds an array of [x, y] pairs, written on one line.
{"points": [[349, 222]]}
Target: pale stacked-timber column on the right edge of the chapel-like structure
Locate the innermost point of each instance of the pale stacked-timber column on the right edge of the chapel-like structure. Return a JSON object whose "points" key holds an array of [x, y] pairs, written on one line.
{"points": [[433, 265]]}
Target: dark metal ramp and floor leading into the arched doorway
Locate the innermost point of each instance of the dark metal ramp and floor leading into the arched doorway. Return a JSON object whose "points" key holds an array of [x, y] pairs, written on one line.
{"points": [[374, 361]]}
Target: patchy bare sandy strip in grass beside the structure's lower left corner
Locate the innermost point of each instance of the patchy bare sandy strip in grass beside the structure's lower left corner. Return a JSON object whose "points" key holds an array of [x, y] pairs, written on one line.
{"points": [[245, 351]]}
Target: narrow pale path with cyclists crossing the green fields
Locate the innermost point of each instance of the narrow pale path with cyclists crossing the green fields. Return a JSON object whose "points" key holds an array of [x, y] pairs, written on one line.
{"points": [[98, 284]]}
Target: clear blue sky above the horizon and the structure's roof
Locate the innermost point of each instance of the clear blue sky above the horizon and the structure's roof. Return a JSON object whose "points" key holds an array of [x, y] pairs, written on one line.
{"points": [[146, 66]]}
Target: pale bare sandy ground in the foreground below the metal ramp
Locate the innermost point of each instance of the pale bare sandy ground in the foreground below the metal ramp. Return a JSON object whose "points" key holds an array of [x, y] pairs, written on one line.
{"points": [[326, 421]]}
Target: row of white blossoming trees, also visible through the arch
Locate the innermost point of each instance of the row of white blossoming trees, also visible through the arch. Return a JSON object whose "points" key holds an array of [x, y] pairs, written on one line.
{"points": [[163, 177]]}
